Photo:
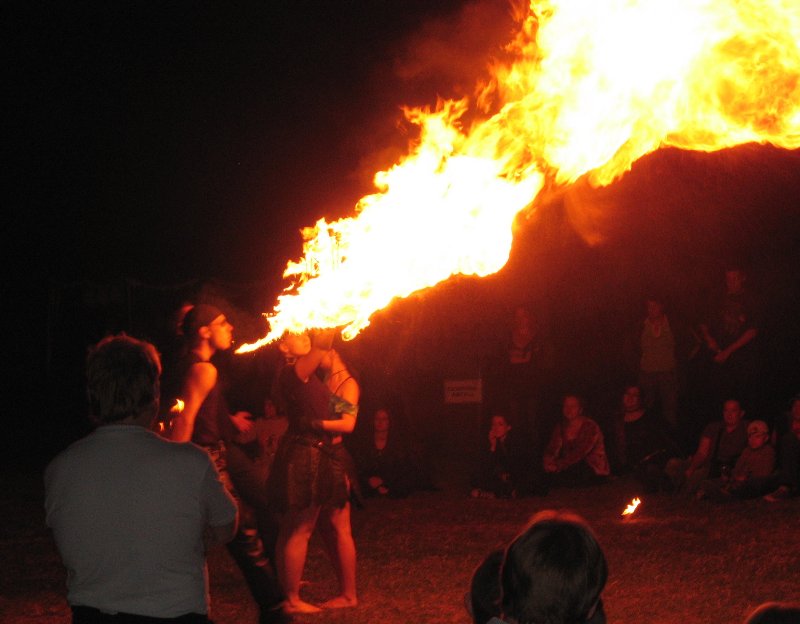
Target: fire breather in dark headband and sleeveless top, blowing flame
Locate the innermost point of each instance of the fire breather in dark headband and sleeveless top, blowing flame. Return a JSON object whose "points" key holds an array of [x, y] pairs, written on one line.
{"points": [[207, 421]]}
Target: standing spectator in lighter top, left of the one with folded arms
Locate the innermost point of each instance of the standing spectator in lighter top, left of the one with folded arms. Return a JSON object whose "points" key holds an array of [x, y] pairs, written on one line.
{"points": [[658, 365]]}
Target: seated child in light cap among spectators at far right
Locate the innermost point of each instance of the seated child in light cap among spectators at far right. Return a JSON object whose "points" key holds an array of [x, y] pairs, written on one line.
{"points": [[750, 477]]}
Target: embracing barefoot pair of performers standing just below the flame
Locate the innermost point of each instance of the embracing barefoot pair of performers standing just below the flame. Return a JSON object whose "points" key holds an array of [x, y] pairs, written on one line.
{"points": [[310, 480]]}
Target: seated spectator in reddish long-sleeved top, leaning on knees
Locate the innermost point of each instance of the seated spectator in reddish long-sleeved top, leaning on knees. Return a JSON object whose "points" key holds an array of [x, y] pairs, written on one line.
{"points": [[576, 452]]}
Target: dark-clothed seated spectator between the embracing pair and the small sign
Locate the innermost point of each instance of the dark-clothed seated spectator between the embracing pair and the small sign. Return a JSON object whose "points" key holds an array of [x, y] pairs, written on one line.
{"points": [[384, 462]]}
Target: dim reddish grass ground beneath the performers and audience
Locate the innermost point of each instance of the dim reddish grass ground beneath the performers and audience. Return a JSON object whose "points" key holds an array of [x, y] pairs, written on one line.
{"points": [[672, 562]]}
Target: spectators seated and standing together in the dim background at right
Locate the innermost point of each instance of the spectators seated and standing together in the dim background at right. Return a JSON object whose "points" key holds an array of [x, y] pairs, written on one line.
{"points": [[665, 428]]}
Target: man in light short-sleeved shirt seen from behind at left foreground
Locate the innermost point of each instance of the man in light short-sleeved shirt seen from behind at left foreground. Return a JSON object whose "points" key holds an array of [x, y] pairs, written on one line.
{"points": [[129, 509]]}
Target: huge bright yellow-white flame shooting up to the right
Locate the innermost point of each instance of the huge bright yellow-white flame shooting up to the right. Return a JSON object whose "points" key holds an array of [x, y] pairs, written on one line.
{"points": [[593, 86]]}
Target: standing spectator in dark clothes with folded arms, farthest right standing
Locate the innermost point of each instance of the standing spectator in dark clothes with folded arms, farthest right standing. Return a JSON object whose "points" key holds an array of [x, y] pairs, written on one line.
{"points": [[731, 333]]}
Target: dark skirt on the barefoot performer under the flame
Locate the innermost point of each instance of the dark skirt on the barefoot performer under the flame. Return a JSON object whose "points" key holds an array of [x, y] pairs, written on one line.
{"points": [[309, 473]]}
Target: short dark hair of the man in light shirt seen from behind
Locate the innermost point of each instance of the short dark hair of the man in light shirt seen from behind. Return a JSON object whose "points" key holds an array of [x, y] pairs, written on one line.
{"points": [[122, 378]]}
